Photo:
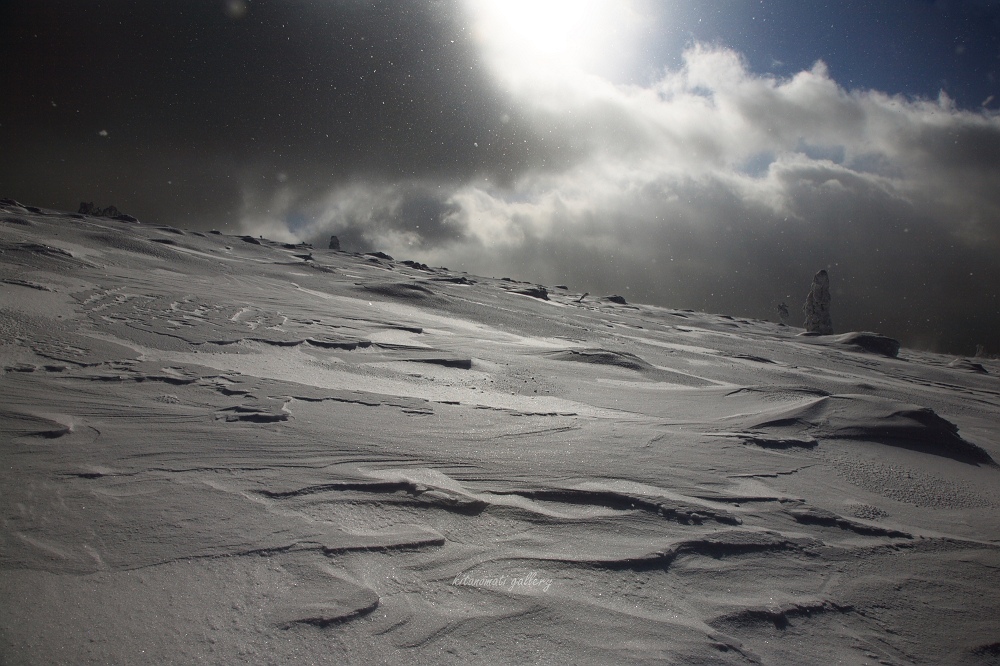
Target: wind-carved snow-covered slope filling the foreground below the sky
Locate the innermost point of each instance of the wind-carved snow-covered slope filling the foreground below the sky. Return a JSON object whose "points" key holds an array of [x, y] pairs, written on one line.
{"points": [[221, 449]]}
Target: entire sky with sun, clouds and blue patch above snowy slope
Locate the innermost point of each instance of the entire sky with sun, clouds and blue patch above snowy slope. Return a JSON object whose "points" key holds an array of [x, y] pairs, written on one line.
{"points": [[702, 155]]}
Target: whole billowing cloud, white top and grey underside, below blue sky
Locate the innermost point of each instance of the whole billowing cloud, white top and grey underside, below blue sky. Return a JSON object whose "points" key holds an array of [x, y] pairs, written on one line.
{"points": [[717, 188]]}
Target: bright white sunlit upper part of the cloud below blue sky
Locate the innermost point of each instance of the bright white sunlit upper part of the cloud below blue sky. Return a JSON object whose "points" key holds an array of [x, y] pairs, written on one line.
{"points": [[704, 122]]}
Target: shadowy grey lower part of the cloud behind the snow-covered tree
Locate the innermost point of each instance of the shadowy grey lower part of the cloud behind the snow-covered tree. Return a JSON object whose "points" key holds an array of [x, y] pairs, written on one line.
{"points": [[895, 268]]}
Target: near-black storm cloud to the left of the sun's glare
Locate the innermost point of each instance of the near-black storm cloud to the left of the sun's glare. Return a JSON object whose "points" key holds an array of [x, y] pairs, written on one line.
{"points": [[213, 99]]}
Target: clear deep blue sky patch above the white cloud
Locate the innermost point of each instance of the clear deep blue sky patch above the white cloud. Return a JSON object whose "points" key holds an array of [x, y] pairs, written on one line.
{"points": [[909, 47]]}
